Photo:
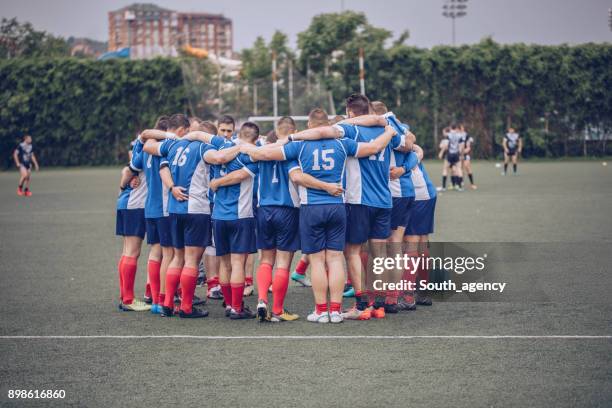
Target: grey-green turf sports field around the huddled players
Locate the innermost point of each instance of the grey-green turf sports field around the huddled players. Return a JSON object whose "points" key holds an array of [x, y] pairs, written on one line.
{"points": [[58, 258]]}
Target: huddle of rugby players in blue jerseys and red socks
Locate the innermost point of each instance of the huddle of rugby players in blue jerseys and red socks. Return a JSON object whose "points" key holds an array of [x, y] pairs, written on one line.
{"points": [[341, 193]]}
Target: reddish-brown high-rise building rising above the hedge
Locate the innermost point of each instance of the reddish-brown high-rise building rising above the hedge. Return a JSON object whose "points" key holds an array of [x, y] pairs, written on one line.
{"points": [[149, 31]]}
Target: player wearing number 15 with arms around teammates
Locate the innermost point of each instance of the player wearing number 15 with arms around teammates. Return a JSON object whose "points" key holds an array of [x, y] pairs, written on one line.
{"points": [[323, 216]]}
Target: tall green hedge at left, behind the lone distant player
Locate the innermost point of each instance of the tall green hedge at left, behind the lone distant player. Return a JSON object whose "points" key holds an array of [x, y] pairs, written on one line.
{"points": [[83, 112]]}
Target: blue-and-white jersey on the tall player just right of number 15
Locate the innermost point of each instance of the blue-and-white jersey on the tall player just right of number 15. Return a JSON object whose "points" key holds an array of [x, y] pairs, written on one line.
{"points": [[367, 178]]}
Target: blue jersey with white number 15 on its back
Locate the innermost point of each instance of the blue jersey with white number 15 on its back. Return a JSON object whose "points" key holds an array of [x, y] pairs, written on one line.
{"points": [[324, 160]]}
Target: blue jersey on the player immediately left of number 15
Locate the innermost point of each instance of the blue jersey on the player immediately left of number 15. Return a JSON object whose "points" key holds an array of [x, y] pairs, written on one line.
{"points": [[275, 186]]}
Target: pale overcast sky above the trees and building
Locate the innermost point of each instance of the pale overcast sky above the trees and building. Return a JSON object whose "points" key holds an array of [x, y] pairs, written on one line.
{"points": [[507, 21]]}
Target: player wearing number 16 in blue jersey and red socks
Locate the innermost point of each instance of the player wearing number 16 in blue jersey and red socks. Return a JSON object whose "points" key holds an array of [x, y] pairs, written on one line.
{"points": [[188, 160]]}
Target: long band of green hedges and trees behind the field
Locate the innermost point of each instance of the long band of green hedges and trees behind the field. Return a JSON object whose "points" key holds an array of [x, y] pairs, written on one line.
{"points": [[85, 112]]}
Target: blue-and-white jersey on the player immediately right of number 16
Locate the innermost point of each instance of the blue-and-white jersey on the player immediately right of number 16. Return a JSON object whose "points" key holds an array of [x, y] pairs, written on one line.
{"points": [[236, 201]]}
